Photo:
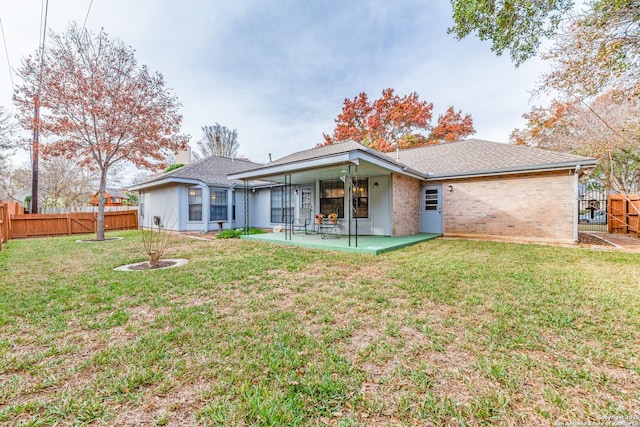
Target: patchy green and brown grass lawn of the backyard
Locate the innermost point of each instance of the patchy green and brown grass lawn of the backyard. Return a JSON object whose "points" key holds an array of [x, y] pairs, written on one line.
{"points": [[444, 332]]}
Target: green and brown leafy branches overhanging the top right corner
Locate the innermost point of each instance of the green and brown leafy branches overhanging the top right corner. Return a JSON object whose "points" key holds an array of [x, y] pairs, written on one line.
{"points": [[595, 50]]}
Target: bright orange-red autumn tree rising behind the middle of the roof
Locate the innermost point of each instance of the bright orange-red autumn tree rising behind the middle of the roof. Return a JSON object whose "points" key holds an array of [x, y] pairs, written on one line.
{"points": [[392, 122]]}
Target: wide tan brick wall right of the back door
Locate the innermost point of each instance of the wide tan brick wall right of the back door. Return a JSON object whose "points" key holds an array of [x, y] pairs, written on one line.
{"points": [[533, 207]]}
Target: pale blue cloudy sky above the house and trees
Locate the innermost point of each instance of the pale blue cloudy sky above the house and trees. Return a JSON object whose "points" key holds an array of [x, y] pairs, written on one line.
{"points": [[279, 71]]}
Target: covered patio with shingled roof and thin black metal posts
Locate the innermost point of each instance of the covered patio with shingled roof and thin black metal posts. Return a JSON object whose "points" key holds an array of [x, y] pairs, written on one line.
{"points": [[355, 183]]}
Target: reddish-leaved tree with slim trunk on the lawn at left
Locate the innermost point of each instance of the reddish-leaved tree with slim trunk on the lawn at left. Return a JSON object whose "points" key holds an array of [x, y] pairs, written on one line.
{"points": [[97, 106]]}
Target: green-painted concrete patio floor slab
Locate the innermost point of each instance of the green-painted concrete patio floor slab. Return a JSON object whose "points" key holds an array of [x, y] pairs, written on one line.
{"points": [[373, 245]]}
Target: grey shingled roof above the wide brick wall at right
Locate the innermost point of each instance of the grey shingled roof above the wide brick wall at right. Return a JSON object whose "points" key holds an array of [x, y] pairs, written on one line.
{"points": [[476, 157]]}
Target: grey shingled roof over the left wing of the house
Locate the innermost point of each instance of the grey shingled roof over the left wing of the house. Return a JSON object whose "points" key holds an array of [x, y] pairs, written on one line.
{"points": [[210, 171]]}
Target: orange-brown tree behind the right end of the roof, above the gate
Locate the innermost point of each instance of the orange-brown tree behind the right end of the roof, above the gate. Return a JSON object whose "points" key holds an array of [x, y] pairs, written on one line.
{"points": [[607, 128]]}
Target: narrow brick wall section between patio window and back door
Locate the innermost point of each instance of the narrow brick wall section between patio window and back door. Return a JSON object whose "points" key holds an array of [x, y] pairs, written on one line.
{"points": [[405, 214]]}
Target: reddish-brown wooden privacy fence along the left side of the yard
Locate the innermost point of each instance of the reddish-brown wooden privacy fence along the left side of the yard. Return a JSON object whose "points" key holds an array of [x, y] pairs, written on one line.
{"points": [[23, 226]]}
